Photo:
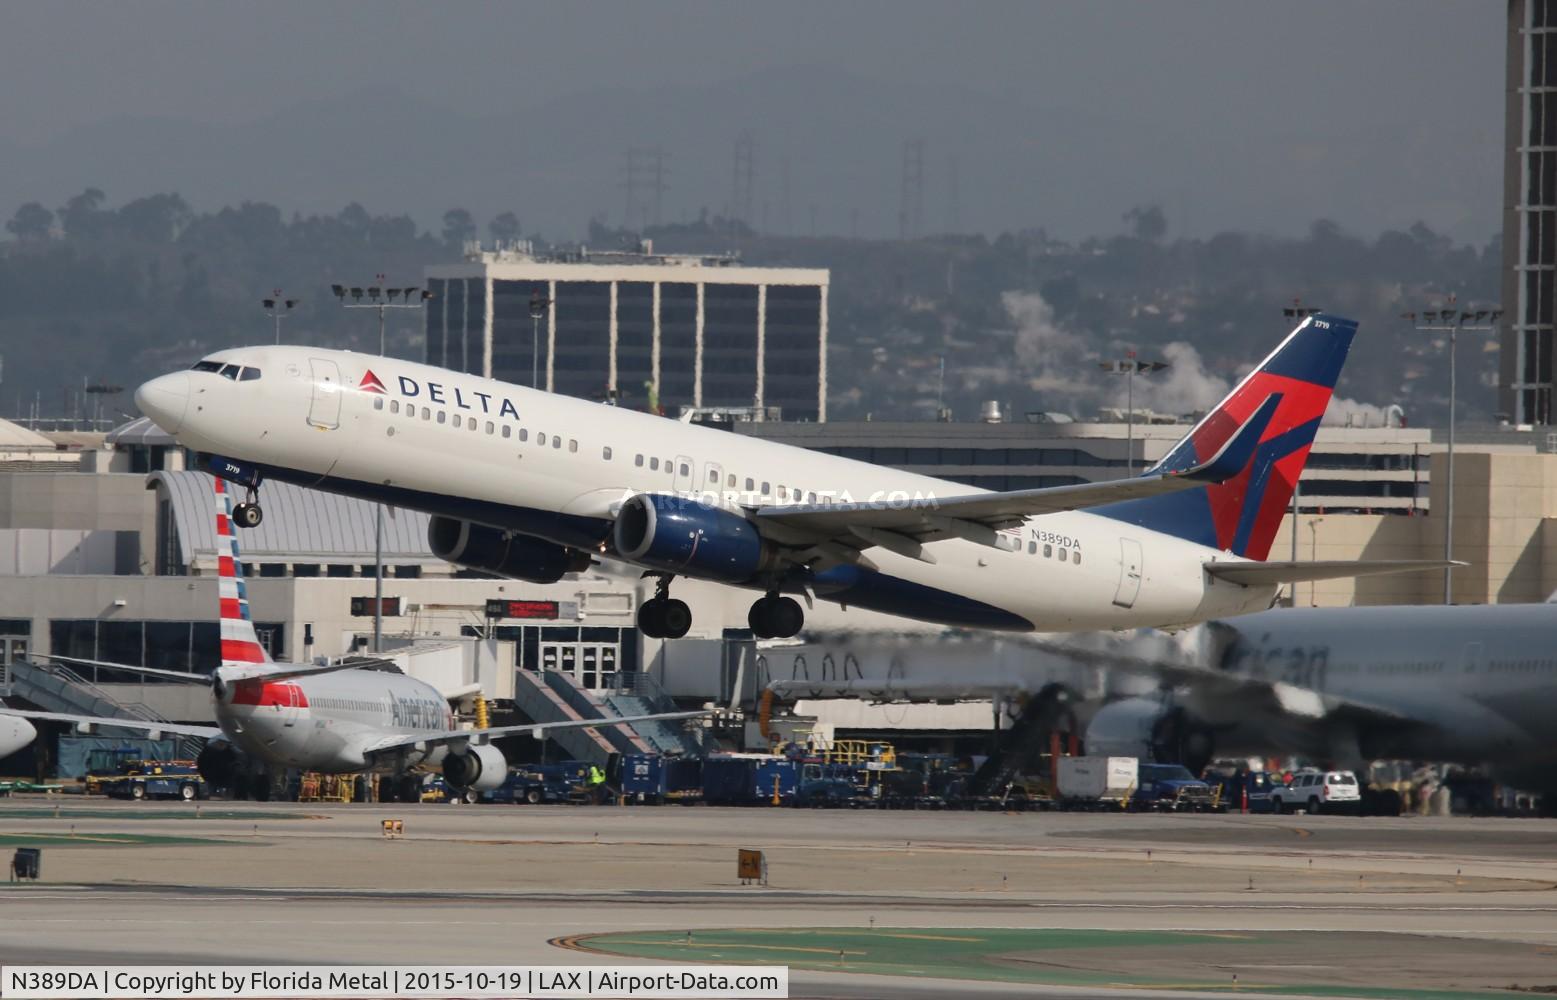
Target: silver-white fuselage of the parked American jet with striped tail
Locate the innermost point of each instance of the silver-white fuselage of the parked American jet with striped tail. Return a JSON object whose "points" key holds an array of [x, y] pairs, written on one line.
{"points": [[329, 722]]}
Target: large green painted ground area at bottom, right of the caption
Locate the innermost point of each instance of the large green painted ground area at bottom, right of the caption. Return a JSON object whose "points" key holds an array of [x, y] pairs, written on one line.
{"points": [[997, 954]]}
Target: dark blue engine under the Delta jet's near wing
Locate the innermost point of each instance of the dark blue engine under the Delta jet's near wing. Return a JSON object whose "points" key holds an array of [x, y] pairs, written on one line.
{"points": [[687, 537]]}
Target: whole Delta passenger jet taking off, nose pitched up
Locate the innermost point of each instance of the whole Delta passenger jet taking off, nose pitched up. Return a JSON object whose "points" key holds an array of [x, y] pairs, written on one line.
{"points": [[533, 485]]}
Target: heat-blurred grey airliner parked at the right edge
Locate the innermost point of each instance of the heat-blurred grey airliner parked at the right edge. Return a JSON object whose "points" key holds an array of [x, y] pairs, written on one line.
{"points": [[1472, 685]]}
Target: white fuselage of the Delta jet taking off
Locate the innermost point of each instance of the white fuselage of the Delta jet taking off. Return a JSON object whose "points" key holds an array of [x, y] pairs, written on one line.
{"points": [[558, 468]]}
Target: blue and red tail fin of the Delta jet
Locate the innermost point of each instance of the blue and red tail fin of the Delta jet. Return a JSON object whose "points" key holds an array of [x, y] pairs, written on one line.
{"points": [[1242, 515]]}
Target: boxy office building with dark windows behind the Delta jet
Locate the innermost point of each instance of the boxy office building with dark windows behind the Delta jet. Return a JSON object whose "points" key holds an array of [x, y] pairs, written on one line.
{"points": [[700, 331]]}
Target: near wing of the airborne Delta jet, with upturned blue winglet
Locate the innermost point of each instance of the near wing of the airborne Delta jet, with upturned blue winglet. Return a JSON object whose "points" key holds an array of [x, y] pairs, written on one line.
{"points": [[901, 526]]}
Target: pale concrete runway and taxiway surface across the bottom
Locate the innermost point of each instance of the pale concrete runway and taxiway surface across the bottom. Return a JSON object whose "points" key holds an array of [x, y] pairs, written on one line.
{"points": [[1293, 904]]}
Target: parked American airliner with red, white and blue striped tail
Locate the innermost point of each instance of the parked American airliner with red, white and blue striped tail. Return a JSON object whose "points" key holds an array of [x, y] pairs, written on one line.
{"points": [[328, 719]]}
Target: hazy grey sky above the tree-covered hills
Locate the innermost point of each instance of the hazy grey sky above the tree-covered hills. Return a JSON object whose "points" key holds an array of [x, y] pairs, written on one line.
{"points": [[1254, 116]]}
